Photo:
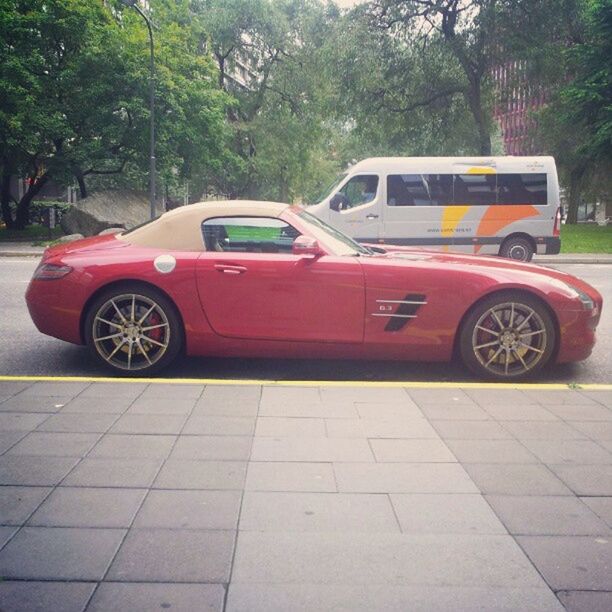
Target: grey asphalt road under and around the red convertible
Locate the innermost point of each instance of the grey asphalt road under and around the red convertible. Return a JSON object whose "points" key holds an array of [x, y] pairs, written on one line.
{"points": [[25, 351]]}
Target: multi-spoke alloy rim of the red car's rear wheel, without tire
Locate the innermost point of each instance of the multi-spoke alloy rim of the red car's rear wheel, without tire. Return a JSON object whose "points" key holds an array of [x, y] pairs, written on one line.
{"points": [[131, 332]]}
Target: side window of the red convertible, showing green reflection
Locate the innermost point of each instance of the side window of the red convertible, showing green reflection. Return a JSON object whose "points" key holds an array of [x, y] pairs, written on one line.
{"points": [[248, 235]]}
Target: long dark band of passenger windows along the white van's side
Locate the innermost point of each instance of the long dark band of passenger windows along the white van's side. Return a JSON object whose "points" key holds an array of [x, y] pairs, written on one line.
{"points": [[470, 189]]}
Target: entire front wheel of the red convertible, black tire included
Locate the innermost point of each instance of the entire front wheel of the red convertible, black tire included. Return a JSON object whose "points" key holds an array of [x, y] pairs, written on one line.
{"points": [[507, 336]]}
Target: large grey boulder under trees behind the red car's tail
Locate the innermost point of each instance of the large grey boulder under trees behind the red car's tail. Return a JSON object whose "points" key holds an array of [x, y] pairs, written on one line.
{"points": [[105, 210]]}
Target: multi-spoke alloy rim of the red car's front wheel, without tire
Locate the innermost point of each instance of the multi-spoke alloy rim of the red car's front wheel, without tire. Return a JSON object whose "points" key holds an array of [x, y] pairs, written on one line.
{"points": [[509, 339]]}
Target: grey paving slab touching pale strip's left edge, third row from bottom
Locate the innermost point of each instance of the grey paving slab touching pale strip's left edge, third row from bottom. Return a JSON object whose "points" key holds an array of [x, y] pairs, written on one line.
{"points": [[190, 510]]}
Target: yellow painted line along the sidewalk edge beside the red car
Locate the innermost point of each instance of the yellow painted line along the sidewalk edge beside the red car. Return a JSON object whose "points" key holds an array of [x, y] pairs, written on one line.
{"points": [[313, 383]]}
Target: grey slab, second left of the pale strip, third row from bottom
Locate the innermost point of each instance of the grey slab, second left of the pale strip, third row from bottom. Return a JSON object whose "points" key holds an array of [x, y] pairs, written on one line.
{"points": [[85, 507]]}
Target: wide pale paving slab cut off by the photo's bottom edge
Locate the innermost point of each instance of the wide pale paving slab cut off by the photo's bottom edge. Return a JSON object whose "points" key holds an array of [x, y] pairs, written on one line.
{"points": [[365, 598]]}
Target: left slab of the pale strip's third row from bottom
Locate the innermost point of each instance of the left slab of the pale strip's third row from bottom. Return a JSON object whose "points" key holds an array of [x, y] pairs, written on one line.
{"points": [[317, 512]]}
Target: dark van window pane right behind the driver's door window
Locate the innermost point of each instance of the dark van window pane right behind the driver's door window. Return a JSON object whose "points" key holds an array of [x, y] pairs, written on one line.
{"points": [[419, 189]]}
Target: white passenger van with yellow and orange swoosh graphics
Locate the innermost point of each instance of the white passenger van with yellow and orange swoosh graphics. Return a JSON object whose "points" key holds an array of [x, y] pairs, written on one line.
{"points": [[506, 206]]}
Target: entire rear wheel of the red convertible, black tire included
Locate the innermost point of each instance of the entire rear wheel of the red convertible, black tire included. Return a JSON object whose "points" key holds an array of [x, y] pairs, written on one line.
{"points": [[133, 329]]}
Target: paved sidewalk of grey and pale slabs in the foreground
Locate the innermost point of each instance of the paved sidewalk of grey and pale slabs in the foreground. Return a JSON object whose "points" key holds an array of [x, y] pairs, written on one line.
{"points": [[128, 496]]}
